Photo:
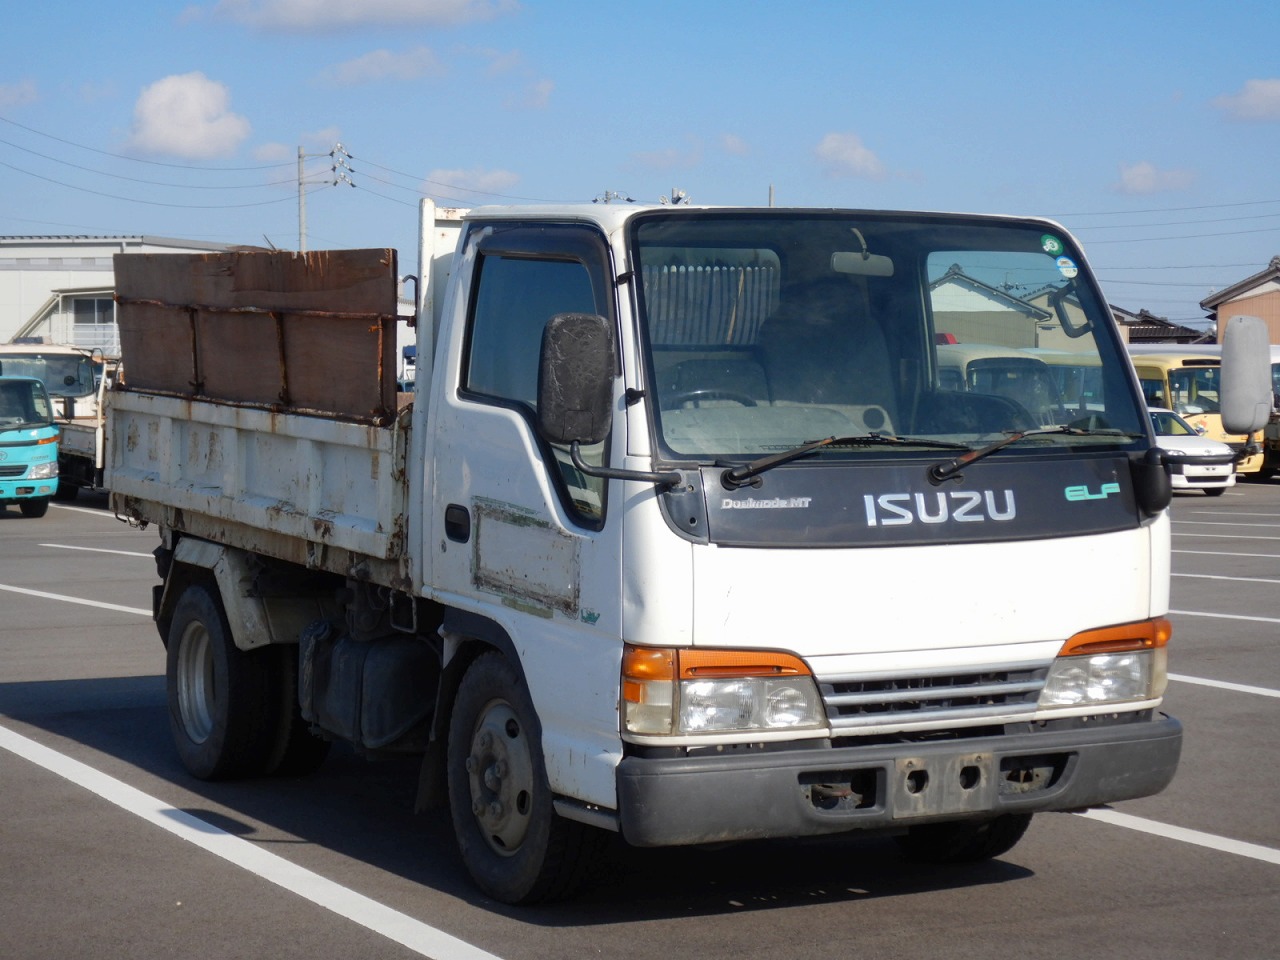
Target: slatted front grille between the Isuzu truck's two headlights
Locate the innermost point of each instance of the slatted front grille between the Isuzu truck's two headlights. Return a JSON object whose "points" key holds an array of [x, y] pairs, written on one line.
{"points": [[860, 705]]}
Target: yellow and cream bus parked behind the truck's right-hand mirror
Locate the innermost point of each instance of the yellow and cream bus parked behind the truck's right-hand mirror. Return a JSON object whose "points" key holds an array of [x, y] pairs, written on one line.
{"points": [[1188, 381]]}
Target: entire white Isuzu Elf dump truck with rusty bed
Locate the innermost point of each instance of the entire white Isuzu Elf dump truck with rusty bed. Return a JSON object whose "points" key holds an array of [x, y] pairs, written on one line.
{"points": [[679, 538]]}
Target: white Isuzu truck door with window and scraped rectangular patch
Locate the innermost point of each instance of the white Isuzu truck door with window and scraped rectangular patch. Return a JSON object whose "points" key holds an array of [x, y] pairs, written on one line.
{"points": [[520, 538]]}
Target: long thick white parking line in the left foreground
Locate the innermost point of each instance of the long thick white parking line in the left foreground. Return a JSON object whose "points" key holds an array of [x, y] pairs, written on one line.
{"points": [[420, 938]]}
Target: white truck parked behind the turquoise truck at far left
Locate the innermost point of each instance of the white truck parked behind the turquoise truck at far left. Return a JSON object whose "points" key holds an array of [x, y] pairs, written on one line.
{"points": [[77, 381]]}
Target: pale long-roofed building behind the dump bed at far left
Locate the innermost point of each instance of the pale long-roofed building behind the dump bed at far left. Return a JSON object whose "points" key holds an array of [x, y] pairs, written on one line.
{"points": [[62, 287]]}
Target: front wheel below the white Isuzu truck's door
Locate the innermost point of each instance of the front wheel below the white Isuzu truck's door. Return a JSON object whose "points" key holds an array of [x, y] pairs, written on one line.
{"points": [[515, 845]]}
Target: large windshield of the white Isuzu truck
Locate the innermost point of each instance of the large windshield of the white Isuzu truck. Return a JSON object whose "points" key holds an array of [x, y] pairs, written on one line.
{"points": [[771, 331]]}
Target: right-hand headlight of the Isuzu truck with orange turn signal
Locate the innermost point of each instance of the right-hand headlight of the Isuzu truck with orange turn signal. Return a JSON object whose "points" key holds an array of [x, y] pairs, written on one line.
{"points": [[1114, 665]]}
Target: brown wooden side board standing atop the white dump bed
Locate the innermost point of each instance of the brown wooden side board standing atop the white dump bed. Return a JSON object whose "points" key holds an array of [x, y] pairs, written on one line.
{"points": [[312, 333]]}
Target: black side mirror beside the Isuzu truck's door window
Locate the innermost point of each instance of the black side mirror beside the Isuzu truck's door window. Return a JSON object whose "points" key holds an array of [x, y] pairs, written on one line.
{"points": [[575, 380]]}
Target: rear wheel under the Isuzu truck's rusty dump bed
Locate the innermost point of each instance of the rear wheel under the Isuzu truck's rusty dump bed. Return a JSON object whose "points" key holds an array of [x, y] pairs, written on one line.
{"points": [[223, 702]]}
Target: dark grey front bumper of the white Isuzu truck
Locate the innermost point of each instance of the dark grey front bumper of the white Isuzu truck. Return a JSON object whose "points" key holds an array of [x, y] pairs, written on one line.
{"points": [[670, 802]]}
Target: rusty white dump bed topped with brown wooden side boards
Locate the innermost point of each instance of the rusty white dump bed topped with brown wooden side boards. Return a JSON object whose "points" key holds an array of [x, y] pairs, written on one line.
{"points": [[259, 408]]}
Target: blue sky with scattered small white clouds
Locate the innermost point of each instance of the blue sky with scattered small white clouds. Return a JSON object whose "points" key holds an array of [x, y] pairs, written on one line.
{"points": [[1151, 131]]}
